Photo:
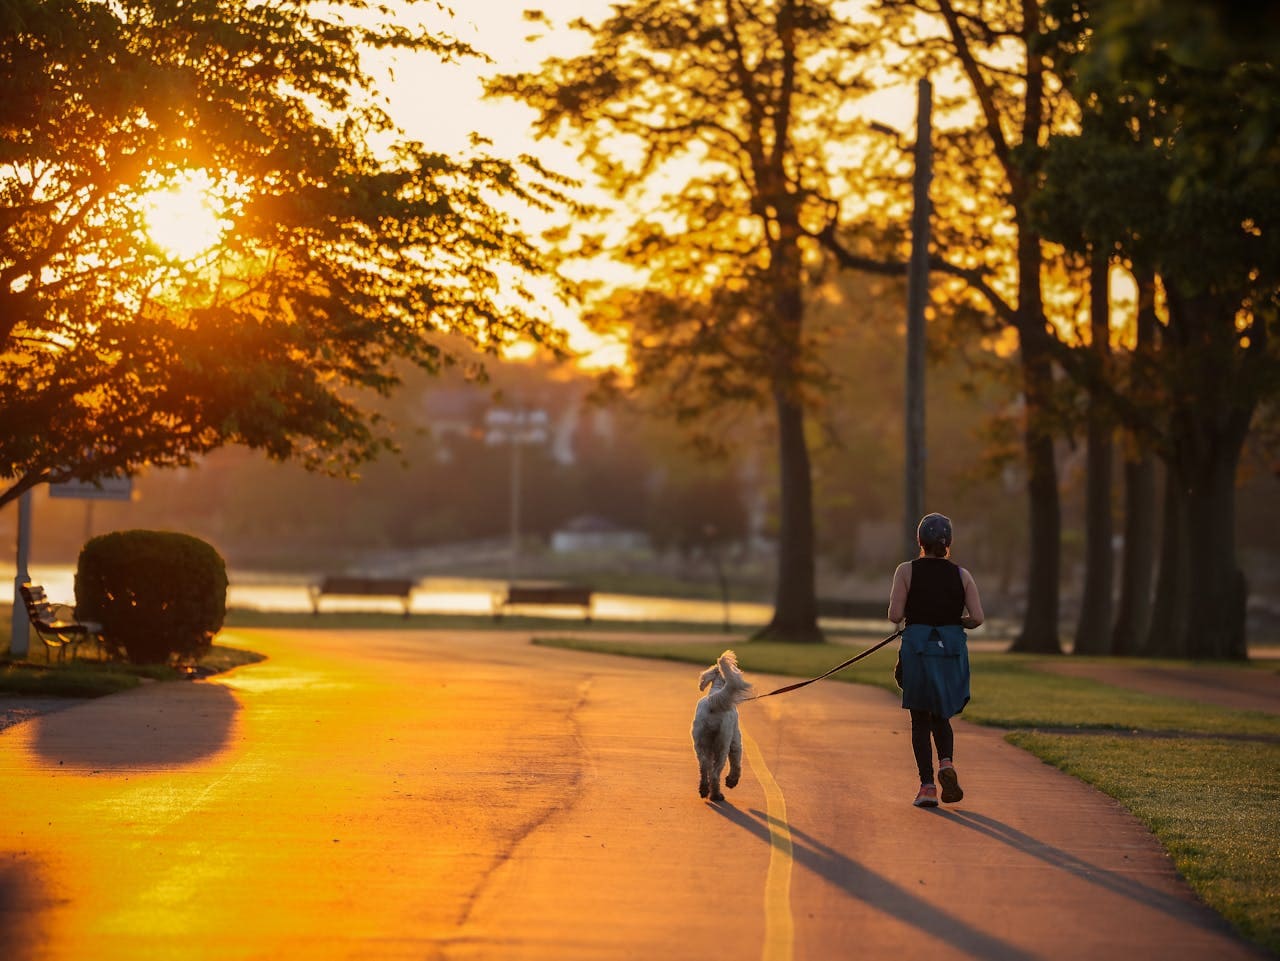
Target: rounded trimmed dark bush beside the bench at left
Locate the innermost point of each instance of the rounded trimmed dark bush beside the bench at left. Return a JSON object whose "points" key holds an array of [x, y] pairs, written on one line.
{"points": [[159, 596]]}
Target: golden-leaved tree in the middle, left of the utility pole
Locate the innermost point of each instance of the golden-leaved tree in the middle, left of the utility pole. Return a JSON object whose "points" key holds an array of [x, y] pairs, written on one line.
{"points": [[730, 115]]}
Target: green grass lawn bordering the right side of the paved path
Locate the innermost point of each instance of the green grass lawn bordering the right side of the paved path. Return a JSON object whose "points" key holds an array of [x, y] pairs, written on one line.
{"points": [[1222, 826]]}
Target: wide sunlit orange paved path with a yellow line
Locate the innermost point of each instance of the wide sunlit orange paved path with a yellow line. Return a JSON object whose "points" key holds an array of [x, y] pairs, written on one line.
{"points": [[435, 795]]}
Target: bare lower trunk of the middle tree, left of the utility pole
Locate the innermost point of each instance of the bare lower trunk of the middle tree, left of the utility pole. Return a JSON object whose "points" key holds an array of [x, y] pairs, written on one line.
{"points": [[796, 610]]}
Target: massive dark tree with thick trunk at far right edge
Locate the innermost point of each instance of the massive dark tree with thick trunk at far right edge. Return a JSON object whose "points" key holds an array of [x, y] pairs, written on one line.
{"points": [[1190, 187]]}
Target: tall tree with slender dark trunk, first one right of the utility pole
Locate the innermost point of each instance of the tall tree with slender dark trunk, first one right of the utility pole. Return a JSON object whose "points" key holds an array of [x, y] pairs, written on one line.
{"points": [[1002, 258]]}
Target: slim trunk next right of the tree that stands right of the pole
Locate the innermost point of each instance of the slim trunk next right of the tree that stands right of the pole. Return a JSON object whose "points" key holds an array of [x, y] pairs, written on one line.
{"points": [[1094, 628]]}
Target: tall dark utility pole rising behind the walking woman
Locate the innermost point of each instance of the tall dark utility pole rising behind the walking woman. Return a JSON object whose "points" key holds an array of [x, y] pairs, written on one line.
{"points": [[917, 300]]}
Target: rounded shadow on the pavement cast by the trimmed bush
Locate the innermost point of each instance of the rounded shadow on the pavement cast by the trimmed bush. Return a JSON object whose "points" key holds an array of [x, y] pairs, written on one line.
{"points": [[162, 726]]}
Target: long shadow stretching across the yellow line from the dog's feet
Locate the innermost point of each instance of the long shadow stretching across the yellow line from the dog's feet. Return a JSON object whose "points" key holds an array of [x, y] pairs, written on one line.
{"points": [[879, 893]]}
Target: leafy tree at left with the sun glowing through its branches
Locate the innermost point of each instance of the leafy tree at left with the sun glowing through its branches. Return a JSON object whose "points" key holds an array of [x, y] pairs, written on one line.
{"points": [[345, 246]]}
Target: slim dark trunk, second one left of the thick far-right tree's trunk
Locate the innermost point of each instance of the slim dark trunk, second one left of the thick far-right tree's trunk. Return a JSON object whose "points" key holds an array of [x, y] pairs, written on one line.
{"points": [[1137, 566]]}
